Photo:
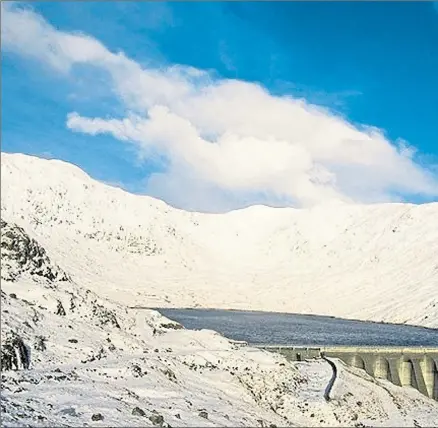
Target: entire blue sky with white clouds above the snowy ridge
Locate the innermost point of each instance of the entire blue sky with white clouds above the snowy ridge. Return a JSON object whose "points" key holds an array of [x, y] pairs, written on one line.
{"points": [[219, 105]]}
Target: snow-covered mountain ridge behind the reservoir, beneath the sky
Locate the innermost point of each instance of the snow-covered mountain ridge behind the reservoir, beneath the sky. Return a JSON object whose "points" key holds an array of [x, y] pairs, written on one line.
{"points": [[377, 262]]}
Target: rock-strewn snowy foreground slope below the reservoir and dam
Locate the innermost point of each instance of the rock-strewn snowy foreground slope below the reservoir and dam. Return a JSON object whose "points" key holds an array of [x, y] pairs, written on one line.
{"points": [[85, 361]]}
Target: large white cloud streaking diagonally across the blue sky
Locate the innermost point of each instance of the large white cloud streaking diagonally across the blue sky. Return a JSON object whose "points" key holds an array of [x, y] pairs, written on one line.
{"points": [[226, 140]]}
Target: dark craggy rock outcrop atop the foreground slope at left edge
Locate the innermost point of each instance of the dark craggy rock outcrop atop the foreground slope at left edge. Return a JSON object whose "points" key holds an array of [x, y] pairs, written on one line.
{"points": [[22, 254]]}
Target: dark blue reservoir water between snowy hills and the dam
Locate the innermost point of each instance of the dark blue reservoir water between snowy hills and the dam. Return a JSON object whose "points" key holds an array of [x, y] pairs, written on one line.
{"points": [[268, 328]]}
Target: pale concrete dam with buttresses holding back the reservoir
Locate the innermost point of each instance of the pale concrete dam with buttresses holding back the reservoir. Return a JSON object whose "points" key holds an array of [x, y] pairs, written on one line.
{"points": [[414, 367]]}
